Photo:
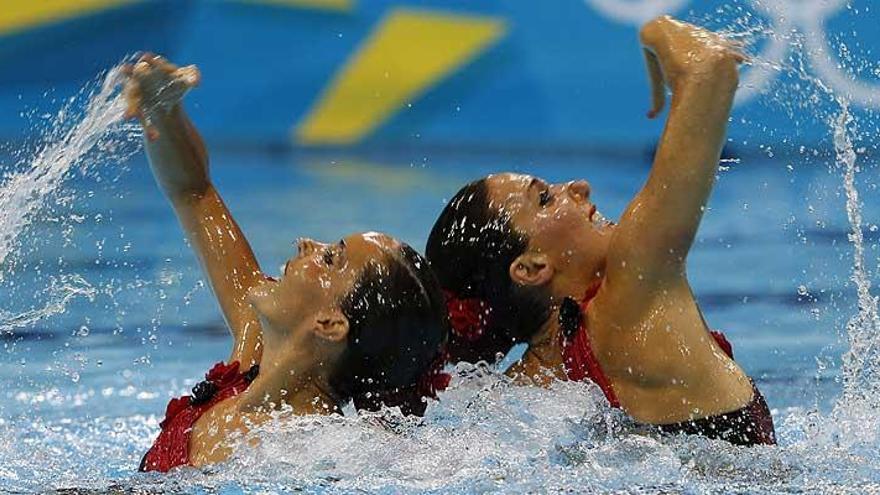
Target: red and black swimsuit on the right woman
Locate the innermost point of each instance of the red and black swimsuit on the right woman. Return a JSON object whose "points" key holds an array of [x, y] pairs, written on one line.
{"points": [[750, 425]]}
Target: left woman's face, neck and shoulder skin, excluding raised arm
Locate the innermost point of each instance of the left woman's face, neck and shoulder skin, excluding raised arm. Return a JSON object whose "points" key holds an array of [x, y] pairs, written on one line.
{"points": [[304, 335]]}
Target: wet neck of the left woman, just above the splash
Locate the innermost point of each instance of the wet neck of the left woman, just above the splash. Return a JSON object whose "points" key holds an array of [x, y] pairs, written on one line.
{"points": [[291, 380]]}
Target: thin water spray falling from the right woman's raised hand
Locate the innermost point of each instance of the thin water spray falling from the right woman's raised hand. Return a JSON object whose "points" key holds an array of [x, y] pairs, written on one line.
{"points": [[810, 96]]}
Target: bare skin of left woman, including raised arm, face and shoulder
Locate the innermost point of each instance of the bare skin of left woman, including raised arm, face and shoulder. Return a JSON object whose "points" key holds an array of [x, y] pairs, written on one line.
{"points": [[292, 327]]}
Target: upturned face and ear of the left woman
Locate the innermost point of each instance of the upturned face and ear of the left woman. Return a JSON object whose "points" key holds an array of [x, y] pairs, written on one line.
{"points": [[314, 282]]}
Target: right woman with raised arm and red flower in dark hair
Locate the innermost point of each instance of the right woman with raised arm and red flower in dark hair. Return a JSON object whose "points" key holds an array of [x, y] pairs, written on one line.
{"points": [[522, 260]]}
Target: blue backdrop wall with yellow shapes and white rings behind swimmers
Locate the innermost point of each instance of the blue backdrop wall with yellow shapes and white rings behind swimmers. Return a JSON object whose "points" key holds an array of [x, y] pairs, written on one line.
{"points": [[470, 75]]}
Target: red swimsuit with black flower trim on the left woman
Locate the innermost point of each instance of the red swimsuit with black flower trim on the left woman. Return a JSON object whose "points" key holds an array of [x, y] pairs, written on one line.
{"points": [[171, 448]]}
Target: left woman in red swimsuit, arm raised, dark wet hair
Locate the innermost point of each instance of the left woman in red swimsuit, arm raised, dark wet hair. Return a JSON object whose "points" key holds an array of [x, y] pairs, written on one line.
{"points": [[362, 319]]}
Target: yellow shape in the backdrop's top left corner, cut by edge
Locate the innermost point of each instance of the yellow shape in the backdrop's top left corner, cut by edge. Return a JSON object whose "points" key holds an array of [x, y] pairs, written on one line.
{"points": [[18, 15]]}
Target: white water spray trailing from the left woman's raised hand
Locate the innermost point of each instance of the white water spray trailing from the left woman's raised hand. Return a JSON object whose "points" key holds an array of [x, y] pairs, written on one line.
{"points": [[76, 141]]}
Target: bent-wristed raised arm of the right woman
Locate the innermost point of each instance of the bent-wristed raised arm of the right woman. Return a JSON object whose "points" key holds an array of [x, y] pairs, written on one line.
{"points": [[658, 227]]}
